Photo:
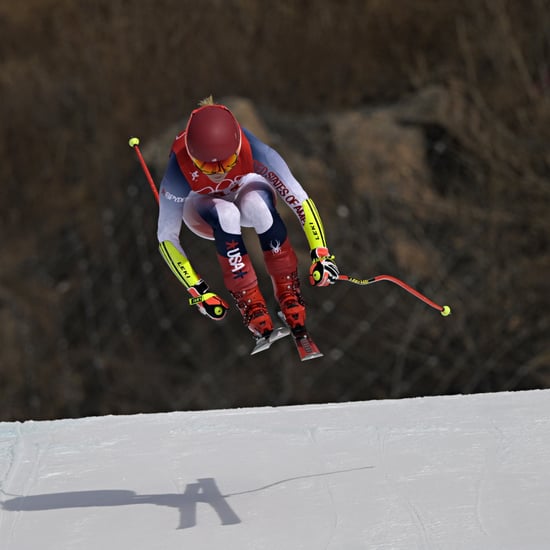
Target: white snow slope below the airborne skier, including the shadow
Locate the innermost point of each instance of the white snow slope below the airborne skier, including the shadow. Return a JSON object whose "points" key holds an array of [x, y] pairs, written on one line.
{"points": [[456, 472]]}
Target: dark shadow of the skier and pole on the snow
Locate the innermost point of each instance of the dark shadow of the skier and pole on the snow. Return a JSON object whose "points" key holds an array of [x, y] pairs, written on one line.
{"points": [[204, 491]]}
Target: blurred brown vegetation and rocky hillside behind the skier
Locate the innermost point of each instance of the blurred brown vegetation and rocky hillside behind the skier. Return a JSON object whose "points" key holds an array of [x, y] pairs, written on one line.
{"points": [[421, 130]]}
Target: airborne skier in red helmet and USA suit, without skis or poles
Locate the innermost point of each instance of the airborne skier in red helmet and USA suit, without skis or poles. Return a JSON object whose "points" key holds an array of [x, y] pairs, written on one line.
{"points": [[219, 178]]}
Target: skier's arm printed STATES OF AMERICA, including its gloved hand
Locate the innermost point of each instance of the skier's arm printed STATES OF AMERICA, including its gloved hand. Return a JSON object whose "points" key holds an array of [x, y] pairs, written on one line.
{"points": [[323, 270]]}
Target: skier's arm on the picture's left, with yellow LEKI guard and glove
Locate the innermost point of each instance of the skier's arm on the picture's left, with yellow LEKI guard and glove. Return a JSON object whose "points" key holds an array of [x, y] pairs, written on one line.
{"points": [[171, 201]]}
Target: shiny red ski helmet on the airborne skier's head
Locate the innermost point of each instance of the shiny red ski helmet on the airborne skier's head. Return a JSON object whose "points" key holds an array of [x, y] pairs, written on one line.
{"points": [[212, 134]]}
